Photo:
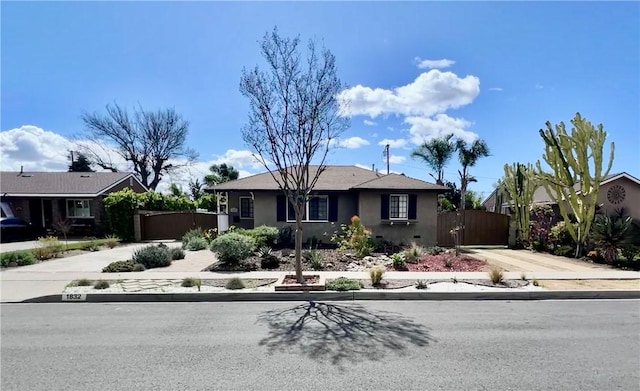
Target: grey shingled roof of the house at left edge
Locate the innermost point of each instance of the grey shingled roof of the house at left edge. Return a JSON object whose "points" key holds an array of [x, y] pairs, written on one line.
{"points": [[59, 183]]}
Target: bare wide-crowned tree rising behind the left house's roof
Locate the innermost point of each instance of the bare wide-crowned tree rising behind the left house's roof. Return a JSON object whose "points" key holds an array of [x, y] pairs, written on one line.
{"points": [[152, 141]]}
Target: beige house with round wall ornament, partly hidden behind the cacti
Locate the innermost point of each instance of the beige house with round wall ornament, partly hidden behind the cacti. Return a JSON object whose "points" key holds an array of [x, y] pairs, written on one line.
{"points": [[616, 191]]}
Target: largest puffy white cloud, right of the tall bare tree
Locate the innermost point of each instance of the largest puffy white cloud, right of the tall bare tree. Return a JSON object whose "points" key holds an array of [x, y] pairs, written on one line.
{"points": [[430, 93]]}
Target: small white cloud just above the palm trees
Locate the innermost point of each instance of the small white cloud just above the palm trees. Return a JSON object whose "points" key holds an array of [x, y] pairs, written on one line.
{"points": [[423, 128]]}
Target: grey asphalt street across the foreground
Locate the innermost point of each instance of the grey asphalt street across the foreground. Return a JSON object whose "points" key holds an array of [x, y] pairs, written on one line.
{"points": [[537, 345]]}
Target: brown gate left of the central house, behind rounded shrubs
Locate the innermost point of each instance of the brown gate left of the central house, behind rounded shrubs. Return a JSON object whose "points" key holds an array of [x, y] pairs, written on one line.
{"points": [[173, 225]]}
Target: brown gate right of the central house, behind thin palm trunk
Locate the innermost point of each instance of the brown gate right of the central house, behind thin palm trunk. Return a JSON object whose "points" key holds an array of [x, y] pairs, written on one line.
{"points": [[479, 228]]}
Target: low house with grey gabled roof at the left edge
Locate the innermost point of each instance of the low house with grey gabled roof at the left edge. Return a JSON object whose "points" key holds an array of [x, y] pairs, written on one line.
{"points": [[43, 198]]}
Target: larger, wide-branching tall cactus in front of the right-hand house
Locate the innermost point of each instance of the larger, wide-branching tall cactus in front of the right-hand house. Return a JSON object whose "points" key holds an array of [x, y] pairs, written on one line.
{"points": [[571, 157]]}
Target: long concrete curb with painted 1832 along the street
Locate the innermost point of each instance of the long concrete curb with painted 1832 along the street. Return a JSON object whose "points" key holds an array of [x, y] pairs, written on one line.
{"points": [[341, 296]]}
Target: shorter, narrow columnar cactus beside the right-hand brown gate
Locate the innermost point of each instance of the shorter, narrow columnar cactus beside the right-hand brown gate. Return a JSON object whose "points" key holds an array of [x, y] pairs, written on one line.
{"points": [[520, 182]]}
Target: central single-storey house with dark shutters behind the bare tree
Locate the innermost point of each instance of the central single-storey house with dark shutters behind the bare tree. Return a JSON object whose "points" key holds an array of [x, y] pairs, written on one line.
{"points": [[395, 207]]}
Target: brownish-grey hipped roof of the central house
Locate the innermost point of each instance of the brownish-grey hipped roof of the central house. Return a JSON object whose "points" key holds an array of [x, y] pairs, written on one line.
{"points": [[337, 178]]}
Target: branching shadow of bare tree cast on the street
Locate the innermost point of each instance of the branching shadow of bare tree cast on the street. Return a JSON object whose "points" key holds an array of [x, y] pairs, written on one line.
{"points": [[341, 333]]}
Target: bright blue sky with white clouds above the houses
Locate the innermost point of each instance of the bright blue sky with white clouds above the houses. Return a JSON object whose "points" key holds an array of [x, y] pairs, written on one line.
{"points": [[512, 67]]}
